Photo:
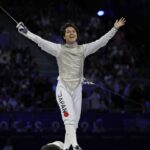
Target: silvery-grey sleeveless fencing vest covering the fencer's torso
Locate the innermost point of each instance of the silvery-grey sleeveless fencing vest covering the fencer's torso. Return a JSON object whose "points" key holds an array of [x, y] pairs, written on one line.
{"points": [[70, 64]]}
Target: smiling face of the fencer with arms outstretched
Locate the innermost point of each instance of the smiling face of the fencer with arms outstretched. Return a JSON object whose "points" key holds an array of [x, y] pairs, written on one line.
{"points": [[70, 35]]}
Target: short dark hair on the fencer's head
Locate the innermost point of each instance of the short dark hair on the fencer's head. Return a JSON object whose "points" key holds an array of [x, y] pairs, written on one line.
{"points": [[66, 25]]}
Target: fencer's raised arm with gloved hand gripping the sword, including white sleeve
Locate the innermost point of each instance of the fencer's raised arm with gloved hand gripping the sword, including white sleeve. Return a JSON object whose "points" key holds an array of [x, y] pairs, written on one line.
{"points": [[47, 46]]}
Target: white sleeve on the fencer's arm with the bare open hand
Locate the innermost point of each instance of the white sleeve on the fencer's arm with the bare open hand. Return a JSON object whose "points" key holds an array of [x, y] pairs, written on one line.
{"points": [[92, 47]]}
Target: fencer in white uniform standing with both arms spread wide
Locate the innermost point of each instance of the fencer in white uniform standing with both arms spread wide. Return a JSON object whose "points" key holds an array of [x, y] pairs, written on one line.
{"points": [[70, 59]]}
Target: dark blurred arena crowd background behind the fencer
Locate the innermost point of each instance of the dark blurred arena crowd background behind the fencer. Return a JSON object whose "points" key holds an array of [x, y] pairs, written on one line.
{"points": [[116, 111]]}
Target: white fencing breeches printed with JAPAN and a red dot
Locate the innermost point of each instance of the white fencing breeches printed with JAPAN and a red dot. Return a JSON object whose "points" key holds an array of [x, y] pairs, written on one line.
{"points": [[69, 103]]}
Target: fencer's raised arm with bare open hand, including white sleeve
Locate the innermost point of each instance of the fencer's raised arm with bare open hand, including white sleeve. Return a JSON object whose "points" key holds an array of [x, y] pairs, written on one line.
{"points": [[92, 47]]}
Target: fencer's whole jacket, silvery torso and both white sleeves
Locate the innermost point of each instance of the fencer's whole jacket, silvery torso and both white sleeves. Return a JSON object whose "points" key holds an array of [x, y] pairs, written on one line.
{"points": [[70, 57]]}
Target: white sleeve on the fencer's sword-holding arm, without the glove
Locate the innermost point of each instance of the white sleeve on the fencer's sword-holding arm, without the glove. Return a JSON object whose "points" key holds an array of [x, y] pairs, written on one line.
{"points": [[47, 46]]}
